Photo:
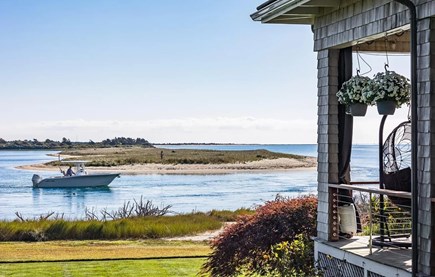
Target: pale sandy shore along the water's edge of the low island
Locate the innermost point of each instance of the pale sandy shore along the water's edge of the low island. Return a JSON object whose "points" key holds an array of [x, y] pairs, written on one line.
{"points": [[280, 164]]}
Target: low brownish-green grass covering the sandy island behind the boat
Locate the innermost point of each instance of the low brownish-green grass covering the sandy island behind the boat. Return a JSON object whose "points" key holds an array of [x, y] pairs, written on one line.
{"points": [[117, 156]]}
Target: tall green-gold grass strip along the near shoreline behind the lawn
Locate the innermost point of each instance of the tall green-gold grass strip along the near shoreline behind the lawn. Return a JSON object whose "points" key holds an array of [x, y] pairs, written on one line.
{"points": [[149, 227]]}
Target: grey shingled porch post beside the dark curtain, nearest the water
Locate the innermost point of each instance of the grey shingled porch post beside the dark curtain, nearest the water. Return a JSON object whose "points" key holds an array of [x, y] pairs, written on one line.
{"points": [[327, 136]]}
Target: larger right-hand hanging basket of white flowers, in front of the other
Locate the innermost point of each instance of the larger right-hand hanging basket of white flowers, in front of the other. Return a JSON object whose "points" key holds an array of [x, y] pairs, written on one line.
{"points": [[388, 90]]}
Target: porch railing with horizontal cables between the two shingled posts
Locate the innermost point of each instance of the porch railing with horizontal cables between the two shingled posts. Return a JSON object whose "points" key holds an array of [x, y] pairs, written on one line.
{"points": [[384, 215]]}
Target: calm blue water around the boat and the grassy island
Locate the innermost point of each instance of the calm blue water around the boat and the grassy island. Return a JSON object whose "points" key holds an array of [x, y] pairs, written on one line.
{"points": [[184, 192]]}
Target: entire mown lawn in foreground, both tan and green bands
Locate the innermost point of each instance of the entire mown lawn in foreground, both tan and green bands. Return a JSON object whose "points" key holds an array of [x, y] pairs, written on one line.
{"points": [[147, 258]]}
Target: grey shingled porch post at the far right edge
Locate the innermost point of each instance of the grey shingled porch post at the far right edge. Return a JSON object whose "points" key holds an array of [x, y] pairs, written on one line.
{"points": [[426, 143]]}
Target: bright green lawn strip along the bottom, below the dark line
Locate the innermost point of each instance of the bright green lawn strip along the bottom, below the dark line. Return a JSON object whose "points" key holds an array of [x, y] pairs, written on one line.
{"points": [[158, 267]]}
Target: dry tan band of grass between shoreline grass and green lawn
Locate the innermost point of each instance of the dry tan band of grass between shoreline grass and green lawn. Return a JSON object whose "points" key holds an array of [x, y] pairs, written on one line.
{"points": [[96, 250]]}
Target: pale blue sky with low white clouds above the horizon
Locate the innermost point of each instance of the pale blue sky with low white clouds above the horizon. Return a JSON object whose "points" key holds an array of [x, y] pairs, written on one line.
{"points": [[167, 71]]}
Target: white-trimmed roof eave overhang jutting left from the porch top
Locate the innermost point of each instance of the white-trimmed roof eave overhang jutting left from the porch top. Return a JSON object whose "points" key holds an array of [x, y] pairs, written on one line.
{"points": [[293, 11]]}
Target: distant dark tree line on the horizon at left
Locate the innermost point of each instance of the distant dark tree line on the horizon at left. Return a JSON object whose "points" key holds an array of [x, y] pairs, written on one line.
{"points": [[67, 143]]}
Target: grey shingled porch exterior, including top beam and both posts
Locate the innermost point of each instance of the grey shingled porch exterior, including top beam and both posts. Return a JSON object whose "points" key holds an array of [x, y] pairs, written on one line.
{"points": [[359, 21]]}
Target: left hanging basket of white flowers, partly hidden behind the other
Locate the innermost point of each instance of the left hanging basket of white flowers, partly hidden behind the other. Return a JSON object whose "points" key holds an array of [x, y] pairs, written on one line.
{"points": [[350, 94]]}
